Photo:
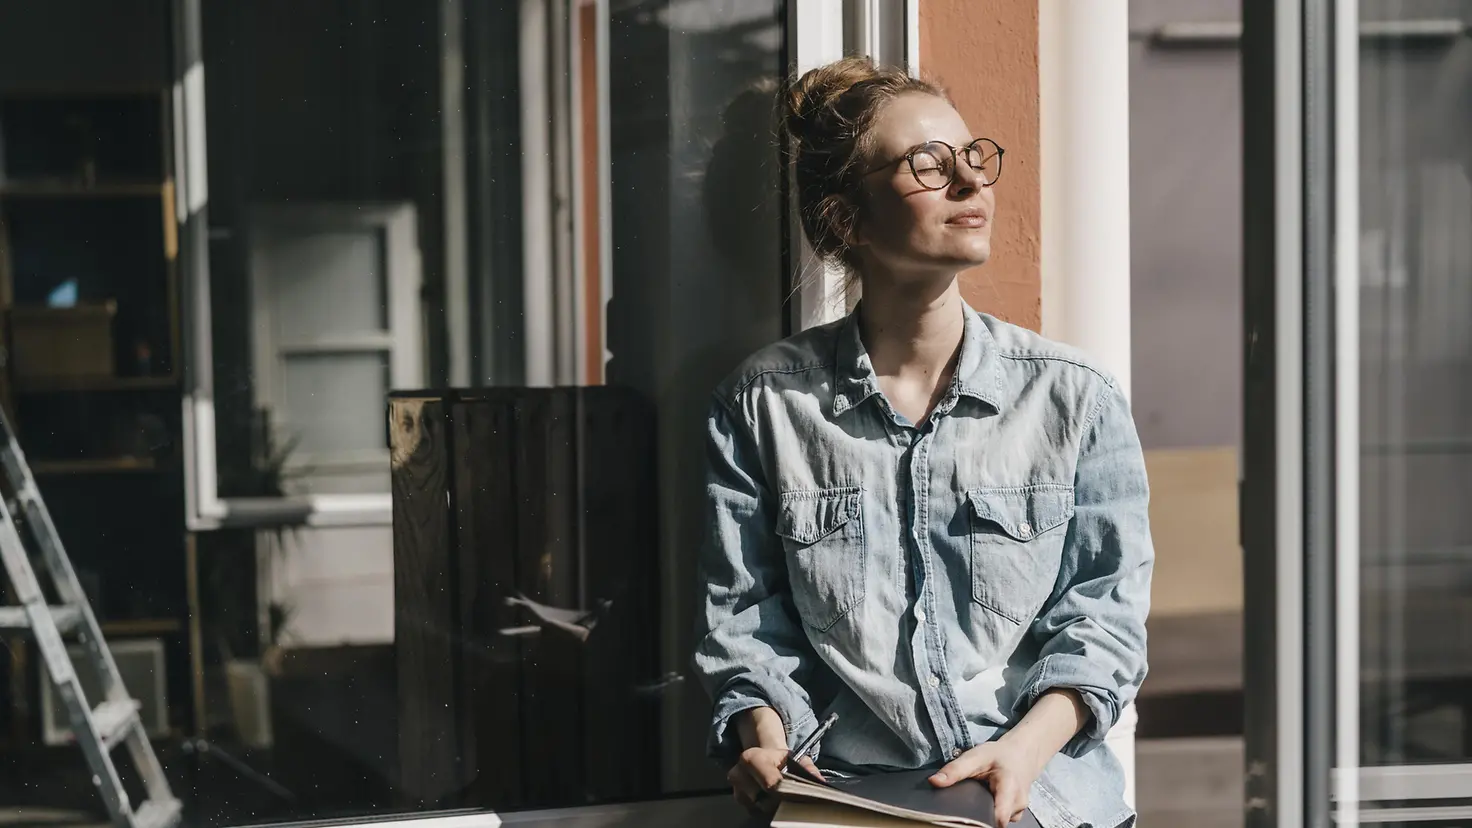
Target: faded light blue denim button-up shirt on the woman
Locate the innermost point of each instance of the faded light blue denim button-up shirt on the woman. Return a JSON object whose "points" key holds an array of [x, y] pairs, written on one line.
{"points": [[928, 583]]}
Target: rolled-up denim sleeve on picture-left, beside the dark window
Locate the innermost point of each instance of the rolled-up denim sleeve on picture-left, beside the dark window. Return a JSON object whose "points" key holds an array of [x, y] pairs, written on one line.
{"points": [[751, 649]]}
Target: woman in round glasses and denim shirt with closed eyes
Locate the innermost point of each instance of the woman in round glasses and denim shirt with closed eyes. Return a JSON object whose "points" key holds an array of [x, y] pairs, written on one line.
{"points": [[924, 519]]}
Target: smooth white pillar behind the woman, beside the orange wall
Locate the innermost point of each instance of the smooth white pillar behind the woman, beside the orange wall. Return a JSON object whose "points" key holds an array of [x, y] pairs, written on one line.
{"points": [[1084, 83]]}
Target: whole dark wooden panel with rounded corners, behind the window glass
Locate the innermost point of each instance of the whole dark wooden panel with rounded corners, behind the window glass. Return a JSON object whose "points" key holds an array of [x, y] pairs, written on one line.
{"points": [[553, 497]]}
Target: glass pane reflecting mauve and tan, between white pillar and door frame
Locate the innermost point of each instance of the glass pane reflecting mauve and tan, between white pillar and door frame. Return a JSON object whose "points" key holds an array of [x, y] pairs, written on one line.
{"points": [[1186, 203]]}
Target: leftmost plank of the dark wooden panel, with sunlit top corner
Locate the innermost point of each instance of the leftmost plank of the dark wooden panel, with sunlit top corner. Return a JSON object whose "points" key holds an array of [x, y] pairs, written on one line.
{"points": [[425, 602]]}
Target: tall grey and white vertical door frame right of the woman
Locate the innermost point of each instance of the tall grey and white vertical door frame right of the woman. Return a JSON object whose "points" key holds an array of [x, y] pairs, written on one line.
{"points": [[1301, 494]]}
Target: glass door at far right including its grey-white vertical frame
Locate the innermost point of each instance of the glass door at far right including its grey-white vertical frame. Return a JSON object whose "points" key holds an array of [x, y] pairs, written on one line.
{"points": [[1358, 250]]}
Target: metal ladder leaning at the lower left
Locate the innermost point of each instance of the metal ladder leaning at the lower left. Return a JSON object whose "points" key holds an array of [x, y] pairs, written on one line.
{"points": [[113, 723]]}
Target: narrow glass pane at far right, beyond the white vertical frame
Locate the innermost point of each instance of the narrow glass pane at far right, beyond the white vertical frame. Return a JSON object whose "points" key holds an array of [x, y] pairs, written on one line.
{"points": [[1415, 382]]}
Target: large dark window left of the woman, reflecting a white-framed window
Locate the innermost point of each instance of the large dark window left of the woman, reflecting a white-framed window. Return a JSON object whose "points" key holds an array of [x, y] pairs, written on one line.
{"points": [[248, 250]]}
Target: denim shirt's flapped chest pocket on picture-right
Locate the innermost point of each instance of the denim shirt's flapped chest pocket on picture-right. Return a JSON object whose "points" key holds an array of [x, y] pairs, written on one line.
{"points": [[1018, 546]]}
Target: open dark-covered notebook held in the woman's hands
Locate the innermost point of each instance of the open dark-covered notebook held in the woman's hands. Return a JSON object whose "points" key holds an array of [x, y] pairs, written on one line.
{"points": [[882, 801]]}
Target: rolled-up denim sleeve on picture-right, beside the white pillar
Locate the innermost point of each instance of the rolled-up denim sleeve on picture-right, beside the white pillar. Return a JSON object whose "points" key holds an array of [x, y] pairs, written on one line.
{"points": [[1091, 633]]}
